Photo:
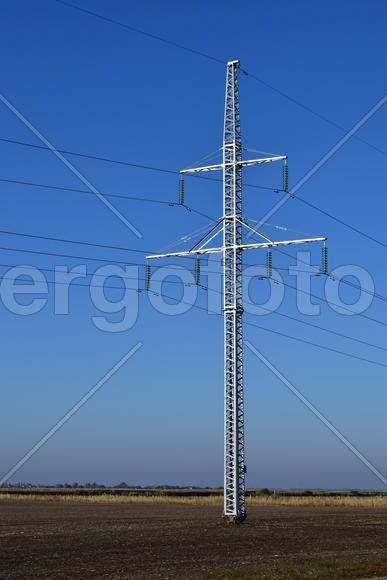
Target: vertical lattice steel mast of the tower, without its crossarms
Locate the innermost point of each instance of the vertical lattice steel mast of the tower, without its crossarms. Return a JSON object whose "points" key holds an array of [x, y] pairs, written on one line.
{"points": [[234, 449]]}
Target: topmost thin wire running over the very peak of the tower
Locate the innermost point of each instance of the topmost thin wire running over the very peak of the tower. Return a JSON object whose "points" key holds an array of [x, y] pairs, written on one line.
{"points": [[223, 62]]}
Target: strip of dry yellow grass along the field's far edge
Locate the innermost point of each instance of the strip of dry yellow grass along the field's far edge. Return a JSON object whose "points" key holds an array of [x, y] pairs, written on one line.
{"points": [[262, 500]]}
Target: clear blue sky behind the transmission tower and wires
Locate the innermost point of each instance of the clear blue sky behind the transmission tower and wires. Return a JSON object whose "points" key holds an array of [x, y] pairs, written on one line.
{"points": [[93, 87]]}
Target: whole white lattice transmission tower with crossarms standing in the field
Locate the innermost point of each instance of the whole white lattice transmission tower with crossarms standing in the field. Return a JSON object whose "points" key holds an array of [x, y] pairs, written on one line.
{"points": [[231, 226]]}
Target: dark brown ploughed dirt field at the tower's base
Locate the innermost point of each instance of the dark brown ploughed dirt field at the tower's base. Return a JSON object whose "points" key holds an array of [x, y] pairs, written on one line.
{"points": [[121, 540]]}
